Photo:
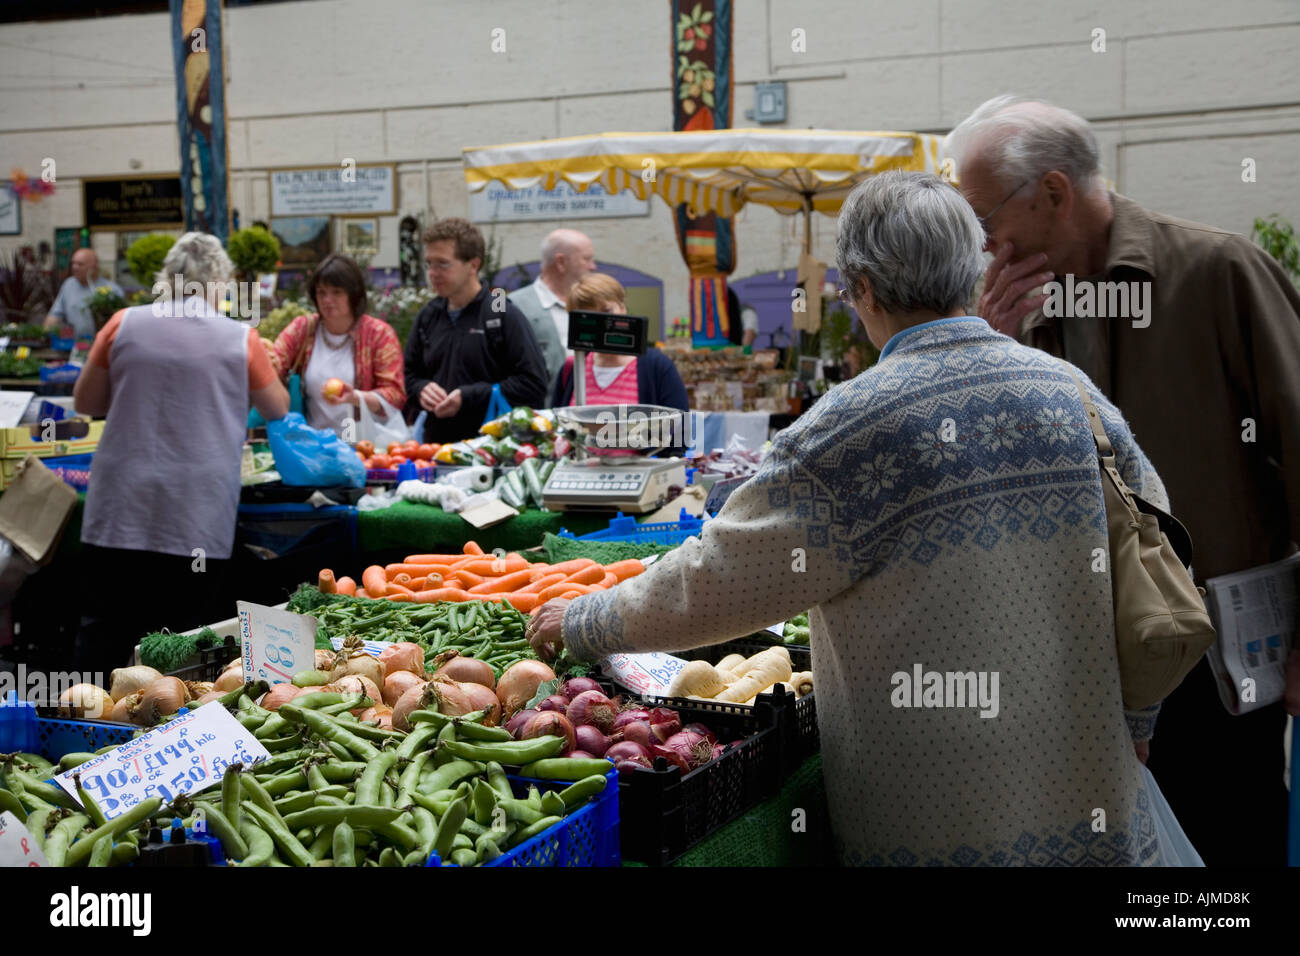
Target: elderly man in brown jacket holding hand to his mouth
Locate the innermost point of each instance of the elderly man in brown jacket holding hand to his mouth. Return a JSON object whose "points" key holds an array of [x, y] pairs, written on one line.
{"points": [[1216, 349]]}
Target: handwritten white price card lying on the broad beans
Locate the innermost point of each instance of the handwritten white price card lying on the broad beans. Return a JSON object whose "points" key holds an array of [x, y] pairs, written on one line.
{"points": [[185, 756]]}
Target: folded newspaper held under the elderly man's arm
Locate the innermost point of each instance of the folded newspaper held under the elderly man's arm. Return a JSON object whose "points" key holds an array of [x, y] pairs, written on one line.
{"points": [[1256, 615]]}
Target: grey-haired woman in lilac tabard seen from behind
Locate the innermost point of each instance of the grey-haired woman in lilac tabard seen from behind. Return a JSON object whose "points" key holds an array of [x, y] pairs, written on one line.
{"points": [[159, 526]]}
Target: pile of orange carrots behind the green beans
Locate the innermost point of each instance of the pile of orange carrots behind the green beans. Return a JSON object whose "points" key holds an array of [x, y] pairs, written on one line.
{"points": [[478, 577]]}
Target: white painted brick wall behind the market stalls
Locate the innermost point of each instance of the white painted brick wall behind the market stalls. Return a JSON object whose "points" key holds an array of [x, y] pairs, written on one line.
{"points": [[1184, 92]]}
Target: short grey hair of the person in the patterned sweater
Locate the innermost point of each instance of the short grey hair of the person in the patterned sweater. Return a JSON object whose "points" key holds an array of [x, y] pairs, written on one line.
{"points": [[915, 239]]}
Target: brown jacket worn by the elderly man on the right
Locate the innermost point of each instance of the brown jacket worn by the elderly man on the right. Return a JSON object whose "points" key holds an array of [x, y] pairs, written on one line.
{"points": [[1221, 352]]}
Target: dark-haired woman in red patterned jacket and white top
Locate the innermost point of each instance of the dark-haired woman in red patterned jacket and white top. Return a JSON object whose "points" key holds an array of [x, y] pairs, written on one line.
{"points": [[341, 341]]}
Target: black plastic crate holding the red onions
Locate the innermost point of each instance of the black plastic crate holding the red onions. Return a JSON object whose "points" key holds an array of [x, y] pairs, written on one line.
{"points": [[665, 812]]}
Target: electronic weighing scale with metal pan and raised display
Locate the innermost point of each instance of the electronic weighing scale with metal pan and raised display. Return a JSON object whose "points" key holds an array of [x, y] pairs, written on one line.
{"points": [[621, 482]]}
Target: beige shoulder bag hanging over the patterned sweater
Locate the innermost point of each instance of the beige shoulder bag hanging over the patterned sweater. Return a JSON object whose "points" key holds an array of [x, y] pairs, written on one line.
{"points": [[1162, 624]]}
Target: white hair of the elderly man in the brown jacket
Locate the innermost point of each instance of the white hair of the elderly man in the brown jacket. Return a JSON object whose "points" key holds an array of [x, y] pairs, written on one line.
{"points": [[1022, 140]]}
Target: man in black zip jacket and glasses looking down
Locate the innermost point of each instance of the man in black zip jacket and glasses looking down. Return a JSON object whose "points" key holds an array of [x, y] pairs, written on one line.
{"points": [[466, 341]]}
